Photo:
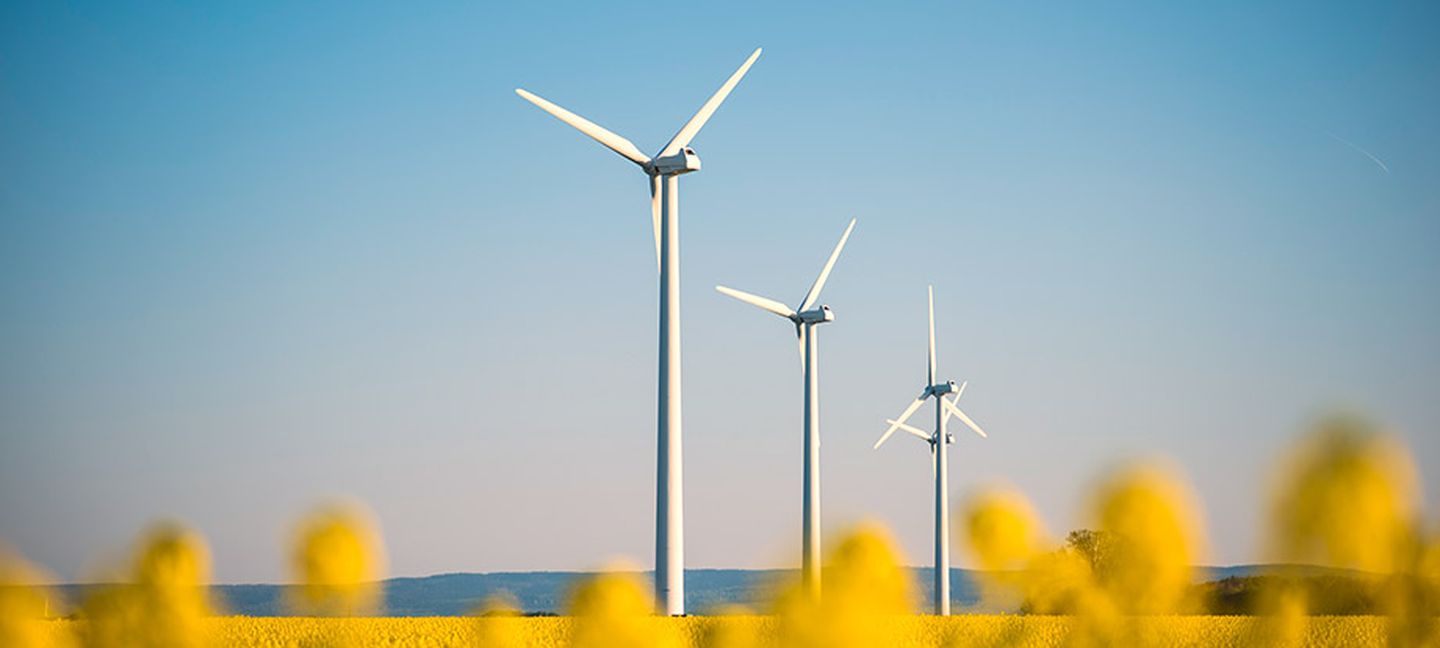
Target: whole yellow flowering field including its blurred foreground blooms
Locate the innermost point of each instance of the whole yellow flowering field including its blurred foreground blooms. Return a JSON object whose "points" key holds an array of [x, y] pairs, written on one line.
{"points": [[1346, 498]]}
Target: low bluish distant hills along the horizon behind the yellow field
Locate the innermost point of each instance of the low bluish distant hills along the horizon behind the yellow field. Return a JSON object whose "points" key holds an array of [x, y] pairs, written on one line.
{"points": [[544, 593]]}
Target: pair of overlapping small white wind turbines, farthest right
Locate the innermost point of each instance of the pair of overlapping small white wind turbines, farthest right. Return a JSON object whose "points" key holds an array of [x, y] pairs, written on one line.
{"points": [[940, 440]]}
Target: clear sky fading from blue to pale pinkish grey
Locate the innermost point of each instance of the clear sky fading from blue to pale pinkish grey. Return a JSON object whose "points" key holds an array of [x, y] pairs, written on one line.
{"points": [[263, 254]]}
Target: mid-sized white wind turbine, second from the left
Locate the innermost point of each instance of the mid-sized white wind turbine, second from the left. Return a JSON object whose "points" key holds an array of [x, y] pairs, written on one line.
{"points": [[807, 316]]}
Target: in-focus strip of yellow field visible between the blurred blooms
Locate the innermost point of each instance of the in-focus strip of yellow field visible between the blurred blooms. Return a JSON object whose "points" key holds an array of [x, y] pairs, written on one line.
{"points": [[744, 631]]}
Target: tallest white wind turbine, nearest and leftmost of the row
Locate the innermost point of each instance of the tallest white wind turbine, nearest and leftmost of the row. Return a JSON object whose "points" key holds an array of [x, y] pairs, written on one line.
{"points": [[665, 171]]}
